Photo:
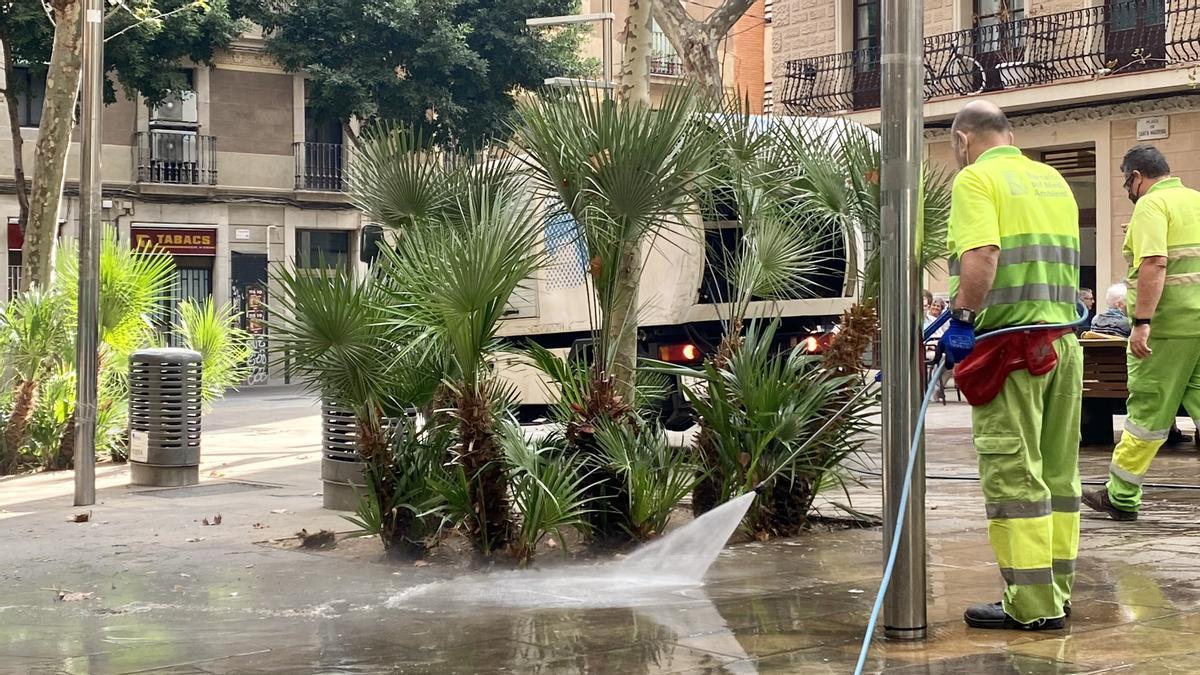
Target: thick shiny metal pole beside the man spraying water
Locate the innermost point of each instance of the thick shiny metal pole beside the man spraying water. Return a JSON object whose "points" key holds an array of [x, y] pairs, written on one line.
{"points": [[902, 146]]}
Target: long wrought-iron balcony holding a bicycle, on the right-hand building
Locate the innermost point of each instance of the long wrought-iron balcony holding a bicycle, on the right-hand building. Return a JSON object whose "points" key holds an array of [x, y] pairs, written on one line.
{"points": [[1131, 37]]}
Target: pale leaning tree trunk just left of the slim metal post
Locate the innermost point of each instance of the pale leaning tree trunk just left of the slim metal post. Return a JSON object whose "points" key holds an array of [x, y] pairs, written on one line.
{"points": [[53, 146]]}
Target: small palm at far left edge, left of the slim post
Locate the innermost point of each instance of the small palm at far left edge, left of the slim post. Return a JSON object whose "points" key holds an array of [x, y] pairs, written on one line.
{"points": [[34, 341]]}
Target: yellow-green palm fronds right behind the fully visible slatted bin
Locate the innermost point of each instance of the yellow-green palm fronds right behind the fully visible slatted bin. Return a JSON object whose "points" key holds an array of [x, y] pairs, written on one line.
{"points": [[224, 348]]}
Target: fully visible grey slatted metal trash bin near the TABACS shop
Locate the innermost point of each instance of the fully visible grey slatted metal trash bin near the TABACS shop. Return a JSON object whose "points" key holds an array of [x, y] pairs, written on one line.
{"points": [[165, 417]]}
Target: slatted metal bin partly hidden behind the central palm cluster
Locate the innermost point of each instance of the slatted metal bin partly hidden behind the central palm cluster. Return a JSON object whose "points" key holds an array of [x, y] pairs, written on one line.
{"points": [[341, 467]]}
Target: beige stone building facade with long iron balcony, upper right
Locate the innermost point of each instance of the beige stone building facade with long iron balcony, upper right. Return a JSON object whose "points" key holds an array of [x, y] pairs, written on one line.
{"points": [[1083, 81]]}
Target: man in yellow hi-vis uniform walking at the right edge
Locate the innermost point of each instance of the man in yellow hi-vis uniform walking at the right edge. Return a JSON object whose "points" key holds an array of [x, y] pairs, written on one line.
{"points": [[1163, 250]]}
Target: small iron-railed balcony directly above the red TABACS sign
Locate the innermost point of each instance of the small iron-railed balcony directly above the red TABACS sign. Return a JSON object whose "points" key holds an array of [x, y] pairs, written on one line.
{"points": [[177, 158]]}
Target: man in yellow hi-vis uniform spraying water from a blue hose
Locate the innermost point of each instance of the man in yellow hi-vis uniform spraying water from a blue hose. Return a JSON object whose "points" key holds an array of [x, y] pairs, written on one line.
{"points": [[1015, 262]]}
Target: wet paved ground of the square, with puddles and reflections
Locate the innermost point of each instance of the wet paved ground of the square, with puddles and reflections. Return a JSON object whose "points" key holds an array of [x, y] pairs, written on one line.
{"points": [[170, 595]]}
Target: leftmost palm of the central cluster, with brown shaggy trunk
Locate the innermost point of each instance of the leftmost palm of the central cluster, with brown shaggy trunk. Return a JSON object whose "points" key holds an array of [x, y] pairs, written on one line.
{"points": [[338, 328]]}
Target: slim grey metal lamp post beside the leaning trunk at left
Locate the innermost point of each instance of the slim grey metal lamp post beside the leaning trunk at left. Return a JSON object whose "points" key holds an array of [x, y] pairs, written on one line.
{"points": [[91, 226]]}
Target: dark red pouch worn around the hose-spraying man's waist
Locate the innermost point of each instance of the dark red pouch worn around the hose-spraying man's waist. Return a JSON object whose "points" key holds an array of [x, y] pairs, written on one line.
{"points": [[982, 375]]}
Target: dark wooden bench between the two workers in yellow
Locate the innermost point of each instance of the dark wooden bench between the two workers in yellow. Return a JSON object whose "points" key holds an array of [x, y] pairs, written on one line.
{"points": [[1106, 390]]}
